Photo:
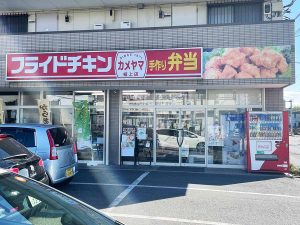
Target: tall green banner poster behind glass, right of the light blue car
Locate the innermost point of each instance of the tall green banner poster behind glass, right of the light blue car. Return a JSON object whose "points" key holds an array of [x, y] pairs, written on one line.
{"points": [[82, 125]]}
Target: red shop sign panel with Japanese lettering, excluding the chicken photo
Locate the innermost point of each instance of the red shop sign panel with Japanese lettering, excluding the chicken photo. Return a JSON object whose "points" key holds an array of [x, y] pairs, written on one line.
{"points": [[105, 65]]}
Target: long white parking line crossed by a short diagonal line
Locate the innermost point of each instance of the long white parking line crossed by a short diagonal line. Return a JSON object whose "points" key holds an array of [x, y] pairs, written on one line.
{"points": [[130, 186]]}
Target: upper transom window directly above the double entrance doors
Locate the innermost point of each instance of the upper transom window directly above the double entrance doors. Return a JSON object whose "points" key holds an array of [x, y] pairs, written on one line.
{"points": [[180, 97]]}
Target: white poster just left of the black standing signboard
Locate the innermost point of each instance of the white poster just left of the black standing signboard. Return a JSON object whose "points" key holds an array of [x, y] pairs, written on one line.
{"points": [[128, 141]]}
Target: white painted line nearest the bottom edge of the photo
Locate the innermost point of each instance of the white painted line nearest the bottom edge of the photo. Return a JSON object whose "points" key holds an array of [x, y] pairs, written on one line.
{"points": [[178, 220]]}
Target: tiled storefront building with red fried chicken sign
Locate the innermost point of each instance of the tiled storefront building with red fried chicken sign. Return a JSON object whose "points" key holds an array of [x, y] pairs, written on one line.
{"points": [[200, 74]]}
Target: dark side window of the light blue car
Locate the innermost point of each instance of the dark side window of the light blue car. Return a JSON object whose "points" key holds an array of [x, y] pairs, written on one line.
{"points": [[26, 136]]}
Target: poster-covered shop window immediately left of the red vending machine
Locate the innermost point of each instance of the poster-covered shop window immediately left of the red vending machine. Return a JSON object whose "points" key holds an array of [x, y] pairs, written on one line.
{"points": [[226, 137]]}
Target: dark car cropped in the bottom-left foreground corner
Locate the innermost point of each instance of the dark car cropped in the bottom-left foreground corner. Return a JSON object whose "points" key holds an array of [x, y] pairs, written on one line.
{"points": [[24, 201]]}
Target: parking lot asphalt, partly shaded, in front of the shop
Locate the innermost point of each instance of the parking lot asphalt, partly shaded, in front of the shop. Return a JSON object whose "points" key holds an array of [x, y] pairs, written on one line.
{"points": [[174, 195]]}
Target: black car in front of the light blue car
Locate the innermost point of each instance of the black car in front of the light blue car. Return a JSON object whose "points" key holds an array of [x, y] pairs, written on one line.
{"points": [[18, 159]]}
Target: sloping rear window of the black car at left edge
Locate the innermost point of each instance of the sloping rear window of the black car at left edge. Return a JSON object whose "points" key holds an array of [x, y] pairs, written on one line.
{"points": [[9, 147]]}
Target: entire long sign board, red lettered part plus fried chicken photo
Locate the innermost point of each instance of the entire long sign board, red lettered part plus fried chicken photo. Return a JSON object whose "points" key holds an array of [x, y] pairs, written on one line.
{"points": [[178, 63]]}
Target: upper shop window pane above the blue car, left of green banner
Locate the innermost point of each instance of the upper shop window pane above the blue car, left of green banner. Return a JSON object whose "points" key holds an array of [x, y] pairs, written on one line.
{"points": [[59, 98]]}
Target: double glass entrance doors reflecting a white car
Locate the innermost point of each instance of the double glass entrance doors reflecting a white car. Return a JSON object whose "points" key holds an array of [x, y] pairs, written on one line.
{"points": [[192, 150]]}
